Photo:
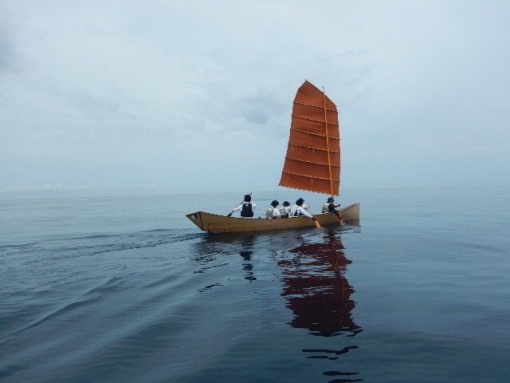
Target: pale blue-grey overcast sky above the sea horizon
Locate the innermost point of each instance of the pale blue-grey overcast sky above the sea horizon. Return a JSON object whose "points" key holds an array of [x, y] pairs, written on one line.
{"points": [[197, 95]]}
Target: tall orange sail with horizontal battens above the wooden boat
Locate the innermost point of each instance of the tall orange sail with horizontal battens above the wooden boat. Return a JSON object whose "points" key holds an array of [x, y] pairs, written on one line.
{"points": [[312, 162]]}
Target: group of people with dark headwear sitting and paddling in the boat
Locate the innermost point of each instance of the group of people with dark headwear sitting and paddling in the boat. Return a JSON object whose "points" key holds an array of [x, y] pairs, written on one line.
{"points": [[247, 207]]}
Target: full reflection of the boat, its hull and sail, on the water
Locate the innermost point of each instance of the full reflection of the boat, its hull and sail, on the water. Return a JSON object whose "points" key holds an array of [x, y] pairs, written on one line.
{"points": [[312, 274]]}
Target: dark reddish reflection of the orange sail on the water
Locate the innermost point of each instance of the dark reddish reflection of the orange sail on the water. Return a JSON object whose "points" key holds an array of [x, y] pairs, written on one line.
{"points": [[316, 289]]}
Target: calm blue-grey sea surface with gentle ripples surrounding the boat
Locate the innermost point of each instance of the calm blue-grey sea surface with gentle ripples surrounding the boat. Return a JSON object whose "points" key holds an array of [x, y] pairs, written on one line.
{"points": [[124, 288]]}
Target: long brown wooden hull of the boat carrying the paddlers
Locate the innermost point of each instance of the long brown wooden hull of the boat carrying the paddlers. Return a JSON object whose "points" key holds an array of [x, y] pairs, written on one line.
{"points": [[214, 223]]}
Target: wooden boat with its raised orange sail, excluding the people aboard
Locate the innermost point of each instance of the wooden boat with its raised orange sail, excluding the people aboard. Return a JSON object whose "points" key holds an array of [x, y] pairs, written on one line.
{"points": [[312, 163]]}
